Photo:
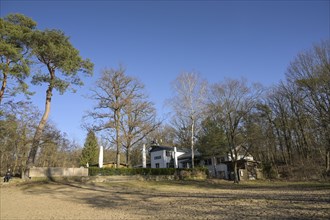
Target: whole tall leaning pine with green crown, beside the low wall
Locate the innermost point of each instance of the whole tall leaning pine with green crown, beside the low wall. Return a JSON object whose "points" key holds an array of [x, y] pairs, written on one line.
{"points": [[52, 49]]}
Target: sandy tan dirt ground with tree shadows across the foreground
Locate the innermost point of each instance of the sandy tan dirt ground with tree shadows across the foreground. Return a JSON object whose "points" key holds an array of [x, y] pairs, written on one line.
{"points": [[163, 200]]}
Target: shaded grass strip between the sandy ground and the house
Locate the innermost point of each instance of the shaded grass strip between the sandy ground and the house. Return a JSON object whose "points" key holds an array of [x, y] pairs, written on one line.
{"points": [[189, 185]]}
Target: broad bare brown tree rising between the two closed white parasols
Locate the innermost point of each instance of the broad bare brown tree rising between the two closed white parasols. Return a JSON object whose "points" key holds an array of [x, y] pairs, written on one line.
{"points": [[122, 109]]}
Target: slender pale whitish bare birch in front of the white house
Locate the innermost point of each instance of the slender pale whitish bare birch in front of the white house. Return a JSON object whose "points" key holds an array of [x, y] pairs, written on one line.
{"points": [[190, 92]]}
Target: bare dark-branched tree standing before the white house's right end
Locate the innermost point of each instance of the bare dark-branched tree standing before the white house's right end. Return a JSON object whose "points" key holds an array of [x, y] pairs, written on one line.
{"points": [[230, 102]]}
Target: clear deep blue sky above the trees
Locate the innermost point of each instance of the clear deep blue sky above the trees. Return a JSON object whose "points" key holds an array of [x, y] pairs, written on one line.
{"points": [[156, 40]]}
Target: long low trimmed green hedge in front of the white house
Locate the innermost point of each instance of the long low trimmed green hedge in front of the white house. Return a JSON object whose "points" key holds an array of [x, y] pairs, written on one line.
{"points": [[95, 171]]}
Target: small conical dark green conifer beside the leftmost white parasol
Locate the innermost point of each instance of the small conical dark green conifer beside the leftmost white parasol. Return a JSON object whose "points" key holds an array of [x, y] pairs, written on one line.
{"points": [[90, 151]]}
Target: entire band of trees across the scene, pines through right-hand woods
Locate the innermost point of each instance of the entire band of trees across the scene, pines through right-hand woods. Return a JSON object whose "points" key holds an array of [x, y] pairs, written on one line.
{"points": [[286, 127]]}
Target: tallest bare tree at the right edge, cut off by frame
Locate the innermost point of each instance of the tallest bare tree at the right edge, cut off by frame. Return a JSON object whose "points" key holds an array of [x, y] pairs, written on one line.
{"points": [[310, 71]]}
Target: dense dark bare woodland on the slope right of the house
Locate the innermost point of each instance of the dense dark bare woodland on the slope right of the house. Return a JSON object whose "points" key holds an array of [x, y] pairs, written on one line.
{"points": [[295, 117]]}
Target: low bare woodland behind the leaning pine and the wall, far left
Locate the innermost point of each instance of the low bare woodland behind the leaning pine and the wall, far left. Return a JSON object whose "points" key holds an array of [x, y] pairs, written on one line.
{"points": [[18, 122]]}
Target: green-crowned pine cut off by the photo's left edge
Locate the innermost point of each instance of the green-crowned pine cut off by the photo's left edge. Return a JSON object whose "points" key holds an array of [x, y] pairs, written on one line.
{"points": [[15, 31]]}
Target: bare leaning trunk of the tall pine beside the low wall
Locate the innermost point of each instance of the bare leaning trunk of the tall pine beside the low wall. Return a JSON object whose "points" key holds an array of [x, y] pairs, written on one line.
{"points": [[37, 136]]}
